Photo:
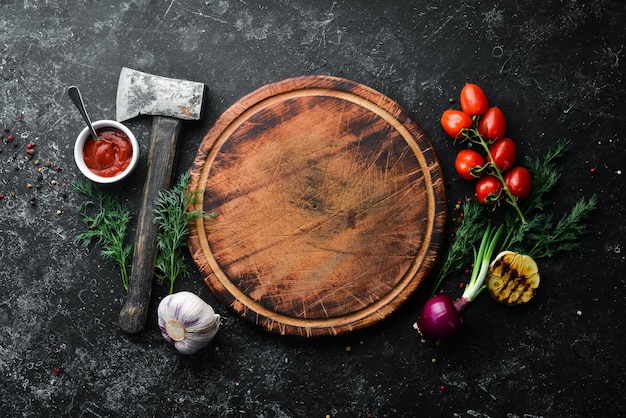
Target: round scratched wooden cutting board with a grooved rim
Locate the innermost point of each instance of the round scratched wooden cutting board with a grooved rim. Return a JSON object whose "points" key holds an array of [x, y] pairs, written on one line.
{"points": [[330, 206]]}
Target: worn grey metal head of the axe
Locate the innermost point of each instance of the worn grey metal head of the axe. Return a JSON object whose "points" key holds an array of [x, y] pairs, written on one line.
{"points": [[141, 93]]}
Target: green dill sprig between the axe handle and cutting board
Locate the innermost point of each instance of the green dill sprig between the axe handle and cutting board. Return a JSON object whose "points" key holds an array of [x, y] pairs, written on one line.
{"points": [[172, 215]]}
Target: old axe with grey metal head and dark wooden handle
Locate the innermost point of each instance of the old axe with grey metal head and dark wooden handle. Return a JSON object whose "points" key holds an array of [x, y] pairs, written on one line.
{"points": [[170, 101]]}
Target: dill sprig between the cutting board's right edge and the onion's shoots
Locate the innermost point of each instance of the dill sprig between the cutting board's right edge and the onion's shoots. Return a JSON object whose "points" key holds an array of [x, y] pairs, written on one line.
{"points": [[460, 253]]}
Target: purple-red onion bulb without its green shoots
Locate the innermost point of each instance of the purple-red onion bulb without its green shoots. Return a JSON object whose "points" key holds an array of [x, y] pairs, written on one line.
{"points": [[440, 317]]}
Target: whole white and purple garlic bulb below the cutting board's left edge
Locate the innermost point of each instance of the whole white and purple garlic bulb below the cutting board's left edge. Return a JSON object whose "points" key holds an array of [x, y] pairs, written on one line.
{"points": [[187, 321]]}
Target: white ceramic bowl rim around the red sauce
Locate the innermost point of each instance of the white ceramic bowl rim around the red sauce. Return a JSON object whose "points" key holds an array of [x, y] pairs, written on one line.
{"points": [[80, 143]]}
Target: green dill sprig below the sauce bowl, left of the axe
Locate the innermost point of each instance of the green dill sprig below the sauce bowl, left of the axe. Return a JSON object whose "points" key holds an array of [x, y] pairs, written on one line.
{"points": [[107, 221]]}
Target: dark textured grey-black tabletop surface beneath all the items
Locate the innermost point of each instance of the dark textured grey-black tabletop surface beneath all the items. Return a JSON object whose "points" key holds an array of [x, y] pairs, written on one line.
{"points": [[555, 68]]}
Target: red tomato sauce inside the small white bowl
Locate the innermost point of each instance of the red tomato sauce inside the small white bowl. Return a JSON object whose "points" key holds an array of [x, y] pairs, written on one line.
{"points": [[110, 154]]}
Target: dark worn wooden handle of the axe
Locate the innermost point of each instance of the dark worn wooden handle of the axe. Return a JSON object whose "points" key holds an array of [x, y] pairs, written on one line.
{"points": [[161, 158]]}
